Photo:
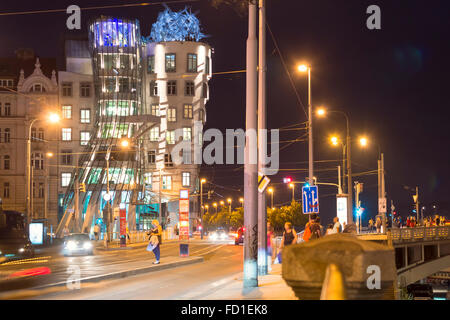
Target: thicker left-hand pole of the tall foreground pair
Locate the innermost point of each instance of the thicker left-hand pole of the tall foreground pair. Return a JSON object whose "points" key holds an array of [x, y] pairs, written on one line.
{"points": [[250, 278]]}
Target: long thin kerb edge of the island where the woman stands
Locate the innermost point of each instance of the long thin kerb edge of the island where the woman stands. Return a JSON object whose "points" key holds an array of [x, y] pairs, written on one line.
{"points": [[130, 272]]}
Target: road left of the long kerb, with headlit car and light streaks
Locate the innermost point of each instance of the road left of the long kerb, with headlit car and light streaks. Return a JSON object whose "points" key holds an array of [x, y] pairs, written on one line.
{"points": [[100, 263]]}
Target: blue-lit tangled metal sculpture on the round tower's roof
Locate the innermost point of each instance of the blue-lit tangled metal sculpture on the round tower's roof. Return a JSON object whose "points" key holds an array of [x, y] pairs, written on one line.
{"points": [[176, 26]]}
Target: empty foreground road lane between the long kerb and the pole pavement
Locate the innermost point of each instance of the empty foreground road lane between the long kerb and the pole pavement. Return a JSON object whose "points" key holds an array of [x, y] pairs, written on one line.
{"points": [[222, 263]]}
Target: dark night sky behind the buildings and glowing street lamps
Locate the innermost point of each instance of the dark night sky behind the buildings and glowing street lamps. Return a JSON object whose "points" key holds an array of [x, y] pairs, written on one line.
{"points": [[393, 83]]}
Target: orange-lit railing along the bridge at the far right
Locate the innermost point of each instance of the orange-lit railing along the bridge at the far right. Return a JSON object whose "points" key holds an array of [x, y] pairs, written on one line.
{"points": [[420, 233]]}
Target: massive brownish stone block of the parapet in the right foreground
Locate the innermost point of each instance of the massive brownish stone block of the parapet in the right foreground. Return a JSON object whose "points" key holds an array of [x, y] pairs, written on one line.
{"points": [[304, 266]]}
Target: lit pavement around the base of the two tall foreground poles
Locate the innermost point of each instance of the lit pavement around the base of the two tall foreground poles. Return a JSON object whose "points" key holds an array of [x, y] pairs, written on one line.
{"points": [[270, 287]]}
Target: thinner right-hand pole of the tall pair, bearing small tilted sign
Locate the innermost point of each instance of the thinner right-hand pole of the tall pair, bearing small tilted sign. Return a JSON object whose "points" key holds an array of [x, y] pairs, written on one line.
{"points": [[262, 143]]}
